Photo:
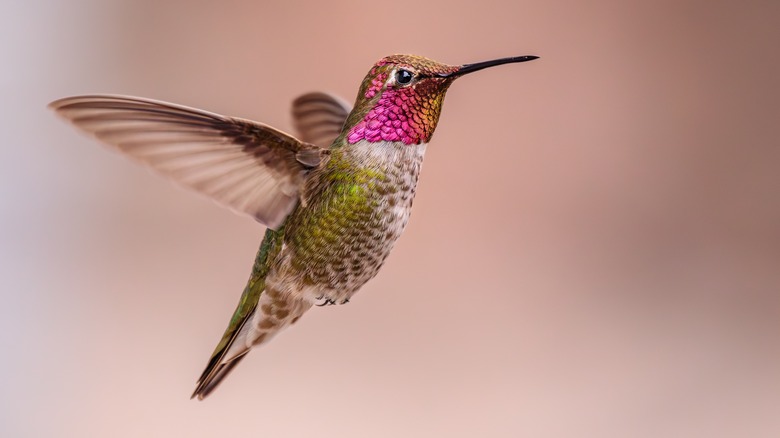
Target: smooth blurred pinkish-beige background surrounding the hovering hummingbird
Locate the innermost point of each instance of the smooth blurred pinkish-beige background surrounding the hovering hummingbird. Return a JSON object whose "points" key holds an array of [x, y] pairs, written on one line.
{"points": [[594, 251]]}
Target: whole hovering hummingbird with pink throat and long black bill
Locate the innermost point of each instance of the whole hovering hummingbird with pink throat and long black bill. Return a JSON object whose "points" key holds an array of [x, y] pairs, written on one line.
{"points": [[334, 200]]}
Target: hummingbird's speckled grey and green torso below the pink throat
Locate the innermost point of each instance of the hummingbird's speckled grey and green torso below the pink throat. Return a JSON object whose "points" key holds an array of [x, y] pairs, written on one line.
{"points": [[342, 237]]}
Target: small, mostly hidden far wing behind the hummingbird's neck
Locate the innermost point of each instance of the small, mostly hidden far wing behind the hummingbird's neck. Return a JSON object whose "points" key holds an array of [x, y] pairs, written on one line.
{"points": [[319, 117]]}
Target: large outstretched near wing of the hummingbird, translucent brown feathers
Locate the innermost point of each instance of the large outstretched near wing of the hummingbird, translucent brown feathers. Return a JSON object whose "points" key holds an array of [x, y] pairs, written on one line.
{"points": [[247, 166]]}
